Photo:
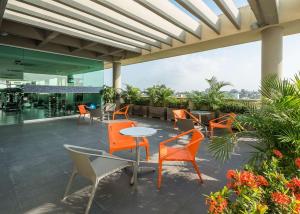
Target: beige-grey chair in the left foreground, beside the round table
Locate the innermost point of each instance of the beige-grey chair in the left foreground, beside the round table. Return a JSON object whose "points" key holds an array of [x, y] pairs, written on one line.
{"points": [[94, 170]]}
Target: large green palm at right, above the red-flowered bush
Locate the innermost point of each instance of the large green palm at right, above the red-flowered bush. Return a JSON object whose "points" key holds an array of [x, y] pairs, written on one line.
{"points": [[275, 124]]}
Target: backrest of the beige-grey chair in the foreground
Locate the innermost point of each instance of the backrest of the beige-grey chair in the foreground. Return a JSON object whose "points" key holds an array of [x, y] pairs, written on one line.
{"points": [[81, 161]]}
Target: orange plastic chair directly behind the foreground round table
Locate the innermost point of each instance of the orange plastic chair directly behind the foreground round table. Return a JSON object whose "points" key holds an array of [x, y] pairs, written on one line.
{"points": [[118, 142]]}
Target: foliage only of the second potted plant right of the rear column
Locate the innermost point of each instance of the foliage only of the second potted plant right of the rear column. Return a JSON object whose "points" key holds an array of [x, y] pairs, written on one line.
{"points": [[159, 95]]}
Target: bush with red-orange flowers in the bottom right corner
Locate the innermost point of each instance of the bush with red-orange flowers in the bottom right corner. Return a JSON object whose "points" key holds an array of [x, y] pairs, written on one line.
{"points": [[265, 190]]}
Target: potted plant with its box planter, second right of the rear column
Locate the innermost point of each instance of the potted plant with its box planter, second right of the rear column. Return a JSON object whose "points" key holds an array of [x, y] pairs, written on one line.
{"points": [[158, 96]]}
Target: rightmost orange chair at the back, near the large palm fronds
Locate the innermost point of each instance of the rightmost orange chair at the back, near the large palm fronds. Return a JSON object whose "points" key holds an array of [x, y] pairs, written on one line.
{"points": [[224, 122]]}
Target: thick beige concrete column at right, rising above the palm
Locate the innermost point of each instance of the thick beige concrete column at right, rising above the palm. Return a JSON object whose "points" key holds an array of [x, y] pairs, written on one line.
{"points": [[271, 55]]}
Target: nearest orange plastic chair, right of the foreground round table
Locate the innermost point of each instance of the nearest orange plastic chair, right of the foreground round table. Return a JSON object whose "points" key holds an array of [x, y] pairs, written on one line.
{"points": [[186, 153]]}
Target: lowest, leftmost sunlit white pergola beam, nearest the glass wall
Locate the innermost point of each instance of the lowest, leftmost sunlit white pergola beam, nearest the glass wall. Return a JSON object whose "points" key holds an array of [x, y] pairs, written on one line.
{"points": [[66, 21]]}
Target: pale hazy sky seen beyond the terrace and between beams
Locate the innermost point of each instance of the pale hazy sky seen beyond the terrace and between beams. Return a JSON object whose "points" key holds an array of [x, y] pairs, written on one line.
{"points": [[239, 65]]}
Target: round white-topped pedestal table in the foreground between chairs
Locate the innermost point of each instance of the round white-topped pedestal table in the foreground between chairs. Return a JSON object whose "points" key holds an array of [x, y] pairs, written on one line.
{"points": [[138, 133]]}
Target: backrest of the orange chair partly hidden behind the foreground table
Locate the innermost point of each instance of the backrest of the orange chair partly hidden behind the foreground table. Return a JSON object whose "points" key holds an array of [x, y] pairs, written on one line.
{"points": [[114, 134]]}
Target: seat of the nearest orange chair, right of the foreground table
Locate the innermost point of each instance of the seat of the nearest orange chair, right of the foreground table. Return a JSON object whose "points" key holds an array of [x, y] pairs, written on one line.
{"points": [[175, 154]]}
